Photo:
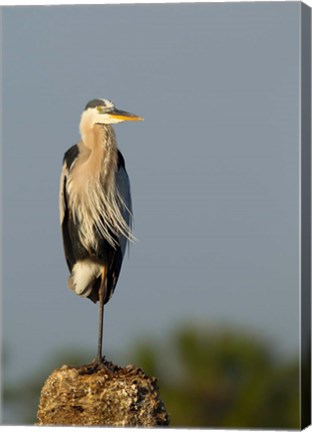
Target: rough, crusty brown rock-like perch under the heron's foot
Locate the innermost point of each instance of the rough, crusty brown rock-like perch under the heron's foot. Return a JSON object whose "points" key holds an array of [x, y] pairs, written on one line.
{"points": [[106, 396]]}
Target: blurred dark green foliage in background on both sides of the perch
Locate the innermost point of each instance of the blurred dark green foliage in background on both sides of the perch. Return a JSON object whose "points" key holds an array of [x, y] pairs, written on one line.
{"points": [[208, 377]]}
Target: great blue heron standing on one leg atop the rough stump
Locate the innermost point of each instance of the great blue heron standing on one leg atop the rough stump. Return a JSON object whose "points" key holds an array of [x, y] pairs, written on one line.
{"points": [[95, 207]]}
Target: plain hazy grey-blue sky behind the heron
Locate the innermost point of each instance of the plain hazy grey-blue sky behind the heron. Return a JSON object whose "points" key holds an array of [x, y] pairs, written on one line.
{"points": [[214, 169]]}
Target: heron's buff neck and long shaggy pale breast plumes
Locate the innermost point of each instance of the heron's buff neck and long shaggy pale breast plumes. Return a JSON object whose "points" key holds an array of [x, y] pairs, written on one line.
{"points": [[95, 200]]}
